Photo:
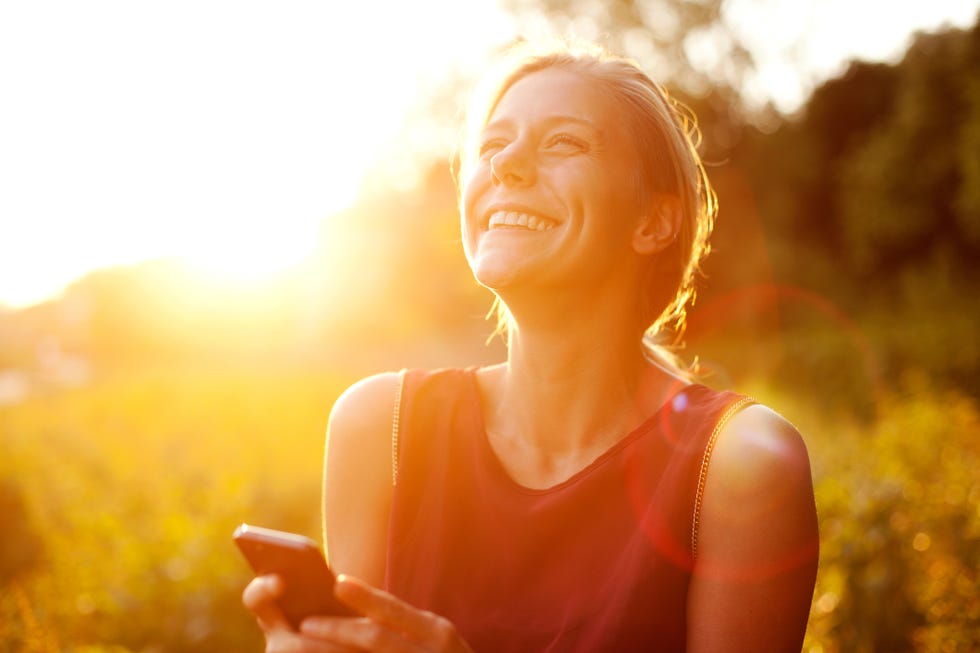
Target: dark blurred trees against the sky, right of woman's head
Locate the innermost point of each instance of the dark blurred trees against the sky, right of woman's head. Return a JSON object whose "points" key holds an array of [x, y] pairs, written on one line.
{"points": [[878, 176]]}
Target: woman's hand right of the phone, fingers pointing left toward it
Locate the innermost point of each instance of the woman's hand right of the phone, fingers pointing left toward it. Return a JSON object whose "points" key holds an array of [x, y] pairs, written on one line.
{"points": [[389, 624]]}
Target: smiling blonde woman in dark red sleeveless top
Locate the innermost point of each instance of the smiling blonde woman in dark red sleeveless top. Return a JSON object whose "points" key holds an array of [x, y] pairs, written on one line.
{"points": [[584, 495]]}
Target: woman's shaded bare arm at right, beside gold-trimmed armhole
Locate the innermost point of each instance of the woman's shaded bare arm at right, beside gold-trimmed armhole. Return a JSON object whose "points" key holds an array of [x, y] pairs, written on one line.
{"points": [[757, 545]]}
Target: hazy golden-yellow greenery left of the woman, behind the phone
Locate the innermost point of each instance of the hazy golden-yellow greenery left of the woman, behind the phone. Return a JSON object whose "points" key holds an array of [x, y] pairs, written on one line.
{"points": [[134, 487]]}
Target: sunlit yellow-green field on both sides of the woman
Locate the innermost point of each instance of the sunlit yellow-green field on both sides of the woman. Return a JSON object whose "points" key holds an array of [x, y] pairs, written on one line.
{"points": [[120, 498]]}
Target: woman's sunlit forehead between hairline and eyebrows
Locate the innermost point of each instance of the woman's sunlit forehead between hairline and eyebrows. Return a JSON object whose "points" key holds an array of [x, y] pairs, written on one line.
{"points": [[556, 92]]}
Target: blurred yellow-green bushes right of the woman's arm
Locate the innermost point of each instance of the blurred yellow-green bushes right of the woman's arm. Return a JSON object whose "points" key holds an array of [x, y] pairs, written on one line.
{"points": [[900, 526]]}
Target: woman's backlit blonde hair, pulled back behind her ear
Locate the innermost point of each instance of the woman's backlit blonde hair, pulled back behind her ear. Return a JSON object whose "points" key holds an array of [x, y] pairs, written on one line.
{"points": [[666, 138]]}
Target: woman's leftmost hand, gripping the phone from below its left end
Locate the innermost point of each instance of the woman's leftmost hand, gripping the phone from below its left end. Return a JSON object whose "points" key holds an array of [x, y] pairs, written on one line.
{"points": [[259, 598]]}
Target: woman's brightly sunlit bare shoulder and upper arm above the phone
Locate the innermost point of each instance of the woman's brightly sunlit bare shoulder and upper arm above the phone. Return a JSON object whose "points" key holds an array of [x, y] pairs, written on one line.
{"points": [[357, 480]]}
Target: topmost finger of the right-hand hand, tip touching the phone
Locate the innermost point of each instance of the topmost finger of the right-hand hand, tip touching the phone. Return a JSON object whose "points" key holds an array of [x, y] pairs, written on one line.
{"points": [[389, 610]]}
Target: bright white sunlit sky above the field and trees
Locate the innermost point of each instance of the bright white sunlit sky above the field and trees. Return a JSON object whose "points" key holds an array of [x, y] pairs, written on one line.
{"points": [[226, 132]]}
